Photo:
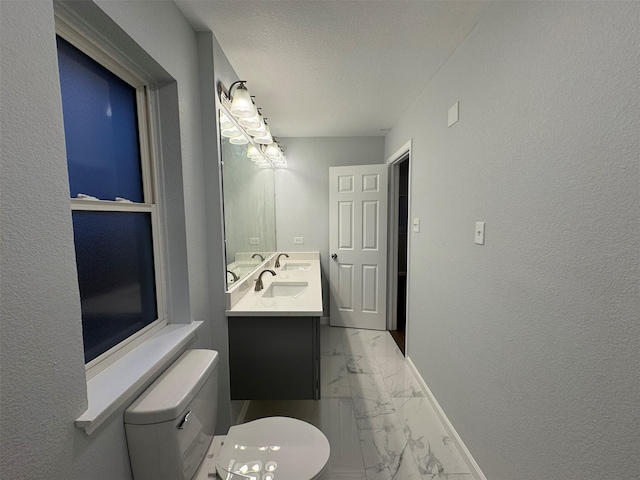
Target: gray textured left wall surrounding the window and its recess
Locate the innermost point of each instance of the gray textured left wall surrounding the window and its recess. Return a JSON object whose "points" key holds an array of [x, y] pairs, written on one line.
{"points": [[41, 359]]}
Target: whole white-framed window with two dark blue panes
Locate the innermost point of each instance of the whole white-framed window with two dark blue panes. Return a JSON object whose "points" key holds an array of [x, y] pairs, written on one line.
{"points": [[112, 198]]}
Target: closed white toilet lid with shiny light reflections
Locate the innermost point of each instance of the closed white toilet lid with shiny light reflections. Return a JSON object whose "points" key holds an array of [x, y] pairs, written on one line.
{"points": [[273, 448]]}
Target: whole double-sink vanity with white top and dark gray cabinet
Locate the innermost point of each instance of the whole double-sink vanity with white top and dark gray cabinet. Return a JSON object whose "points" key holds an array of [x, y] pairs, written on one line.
{"points": [[274, 333]]}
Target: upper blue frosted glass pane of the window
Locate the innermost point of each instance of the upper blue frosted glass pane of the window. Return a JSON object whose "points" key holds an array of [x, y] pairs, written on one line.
{"points": [[100, 127]]}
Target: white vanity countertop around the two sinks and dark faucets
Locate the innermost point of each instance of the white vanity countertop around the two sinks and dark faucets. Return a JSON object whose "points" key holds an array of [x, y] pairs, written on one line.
{"points": [[307, 304]]}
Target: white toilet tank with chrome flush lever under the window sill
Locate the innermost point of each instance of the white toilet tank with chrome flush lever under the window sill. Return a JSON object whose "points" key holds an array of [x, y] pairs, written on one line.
{"points": [[170, 426]]}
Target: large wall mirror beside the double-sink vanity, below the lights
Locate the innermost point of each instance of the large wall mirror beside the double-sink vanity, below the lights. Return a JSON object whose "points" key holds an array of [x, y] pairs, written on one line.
{"points": [[249, 211]]}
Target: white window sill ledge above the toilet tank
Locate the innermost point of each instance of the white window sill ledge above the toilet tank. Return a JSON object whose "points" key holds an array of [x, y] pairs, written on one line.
{"points": [[114, 386]]}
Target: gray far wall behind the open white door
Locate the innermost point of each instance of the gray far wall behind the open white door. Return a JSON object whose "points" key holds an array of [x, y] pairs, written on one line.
{"points": [[302, 191]]}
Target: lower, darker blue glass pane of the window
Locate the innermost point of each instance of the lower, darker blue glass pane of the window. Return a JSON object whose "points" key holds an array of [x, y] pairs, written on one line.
{"points": [[114, 255]]}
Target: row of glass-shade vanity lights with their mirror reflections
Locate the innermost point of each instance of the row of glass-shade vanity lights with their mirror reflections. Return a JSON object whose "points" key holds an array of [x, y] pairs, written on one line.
{"points": [[242, 123]]}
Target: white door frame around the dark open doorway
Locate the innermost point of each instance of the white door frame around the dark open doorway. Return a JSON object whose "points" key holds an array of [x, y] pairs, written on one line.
{"points": [[392, 242]]}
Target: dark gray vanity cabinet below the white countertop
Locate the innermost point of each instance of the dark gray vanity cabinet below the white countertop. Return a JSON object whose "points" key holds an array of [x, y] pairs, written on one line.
{"points": [[274, 358]]}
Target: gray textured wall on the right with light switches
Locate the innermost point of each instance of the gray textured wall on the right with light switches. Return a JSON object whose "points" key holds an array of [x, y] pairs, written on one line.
{"points": [[531, 343]]}
